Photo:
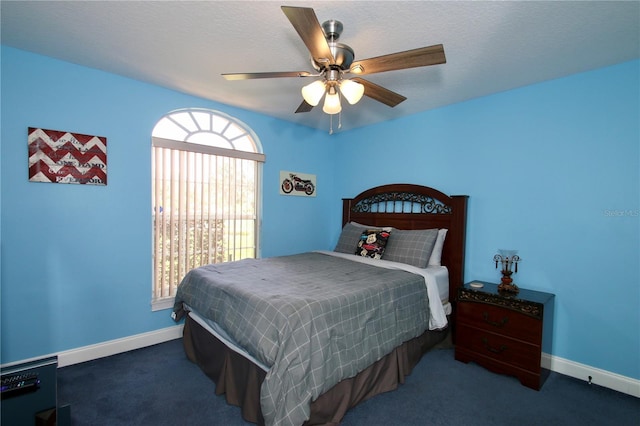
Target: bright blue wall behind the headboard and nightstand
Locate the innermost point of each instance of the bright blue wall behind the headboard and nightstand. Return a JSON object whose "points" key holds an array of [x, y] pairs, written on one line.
{"points": [[551, 170]]}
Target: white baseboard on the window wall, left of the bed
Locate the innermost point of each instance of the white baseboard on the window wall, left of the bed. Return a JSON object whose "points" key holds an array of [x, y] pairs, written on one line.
{"points": [[113, 347]]}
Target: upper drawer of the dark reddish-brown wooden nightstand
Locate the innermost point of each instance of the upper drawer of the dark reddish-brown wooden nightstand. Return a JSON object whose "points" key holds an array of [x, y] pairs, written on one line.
{"points": [[500, 320]]}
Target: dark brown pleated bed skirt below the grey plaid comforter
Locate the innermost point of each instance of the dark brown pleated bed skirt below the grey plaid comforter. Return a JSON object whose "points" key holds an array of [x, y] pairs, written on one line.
{"points": [[240, 379]]}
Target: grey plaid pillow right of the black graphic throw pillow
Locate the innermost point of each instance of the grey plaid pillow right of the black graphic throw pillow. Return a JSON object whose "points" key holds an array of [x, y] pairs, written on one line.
{"points": [[412, 247]]}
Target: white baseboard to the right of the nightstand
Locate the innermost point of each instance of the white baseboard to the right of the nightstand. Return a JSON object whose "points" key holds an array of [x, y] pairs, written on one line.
{"points": [[594, 375]]}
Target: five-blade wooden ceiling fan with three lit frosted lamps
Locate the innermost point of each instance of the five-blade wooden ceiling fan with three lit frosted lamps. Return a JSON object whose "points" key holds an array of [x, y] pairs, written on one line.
{"points": [[333, 60]]}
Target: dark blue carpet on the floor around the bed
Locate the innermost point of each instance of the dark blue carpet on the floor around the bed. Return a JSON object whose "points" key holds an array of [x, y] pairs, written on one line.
{"points": [[159, 386]]}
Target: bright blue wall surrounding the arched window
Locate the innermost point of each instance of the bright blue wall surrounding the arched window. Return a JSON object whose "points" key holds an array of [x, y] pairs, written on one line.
{"points": [[76, 260]]}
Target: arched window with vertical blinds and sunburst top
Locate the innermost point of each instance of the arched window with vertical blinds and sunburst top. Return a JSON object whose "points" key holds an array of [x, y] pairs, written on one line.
{"points": [[206, 169]]}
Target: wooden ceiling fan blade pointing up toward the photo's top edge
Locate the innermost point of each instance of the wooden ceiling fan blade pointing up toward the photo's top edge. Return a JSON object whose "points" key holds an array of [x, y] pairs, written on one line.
{"points": [[305, 22]]}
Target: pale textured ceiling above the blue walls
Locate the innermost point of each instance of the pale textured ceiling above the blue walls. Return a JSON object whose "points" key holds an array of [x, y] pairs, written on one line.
{"points": [[491, 46]]}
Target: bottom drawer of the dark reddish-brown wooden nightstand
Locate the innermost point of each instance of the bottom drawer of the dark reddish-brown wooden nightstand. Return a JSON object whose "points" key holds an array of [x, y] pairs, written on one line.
{"points": [[498, 347]]}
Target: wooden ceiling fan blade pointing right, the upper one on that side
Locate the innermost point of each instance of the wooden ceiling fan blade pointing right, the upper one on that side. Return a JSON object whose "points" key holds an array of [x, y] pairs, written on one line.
{"points": [[421, 57]]}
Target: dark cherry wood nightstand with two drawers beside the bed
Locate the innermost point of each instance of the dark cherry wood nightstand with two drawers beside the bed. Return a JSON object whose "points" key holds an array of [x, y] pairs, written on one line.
{"points": [[505, 332]]}
